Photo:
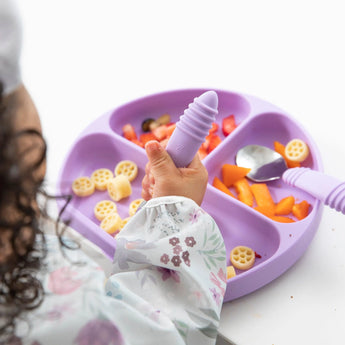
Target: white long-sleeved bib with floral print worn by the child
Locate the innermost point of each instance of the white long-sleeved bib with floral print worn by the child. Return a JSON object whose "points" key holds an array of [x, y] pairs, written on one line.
{"points": [[167, 284]]}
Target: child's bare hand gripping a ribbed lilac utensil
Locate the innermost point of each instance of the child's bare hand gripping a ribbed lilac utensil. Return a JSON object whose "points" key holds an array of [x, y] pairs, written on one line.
{"points": [[163, 178]]}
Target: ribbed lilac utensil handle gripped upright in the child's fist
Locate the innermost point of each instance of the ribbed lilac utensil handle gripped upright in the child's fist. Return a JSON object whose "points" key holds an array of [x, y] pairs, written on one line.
{"points": [[192, 128]]}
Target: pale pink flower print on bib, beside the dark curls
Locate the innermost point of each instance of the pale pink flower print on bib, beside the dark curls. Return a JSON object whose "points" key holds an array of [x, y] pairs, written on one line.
{"points": [[64, 281]]}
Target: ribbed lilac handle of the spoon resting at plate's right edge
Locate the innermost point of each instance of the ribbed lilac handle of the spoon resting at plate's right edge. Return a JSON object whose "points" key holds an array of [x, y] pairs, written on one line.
{"points": [[328, 189]]}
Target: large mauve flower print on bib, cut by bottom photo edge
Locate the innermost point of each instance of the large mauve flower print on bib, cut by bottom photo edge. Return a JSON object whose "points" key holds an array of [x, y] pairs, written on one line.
{"points": [[99, 332]]}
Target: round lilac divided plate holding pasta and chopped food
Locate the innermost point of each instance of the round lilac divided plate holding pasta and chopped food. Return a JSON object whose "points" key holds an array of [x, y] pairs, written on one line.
{"points": [[280, 245]]}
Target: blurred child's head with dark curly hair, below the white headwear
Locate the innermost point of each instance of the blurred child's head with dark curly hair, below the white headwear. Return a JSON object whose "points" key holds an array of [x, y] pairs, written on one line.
{"points": [[22, 155]]}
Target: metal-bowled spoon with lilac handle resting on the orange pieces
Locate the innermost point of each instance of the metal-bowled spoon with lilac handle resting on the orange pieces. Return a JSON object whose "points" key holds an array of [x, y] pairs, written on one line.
{"points": [[267, 165]]}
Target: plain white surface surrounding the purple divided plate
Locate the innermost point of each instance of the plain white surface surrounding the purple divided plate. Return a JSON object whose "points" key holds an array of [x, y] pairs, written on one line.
{"points": [[82, 58]]}
